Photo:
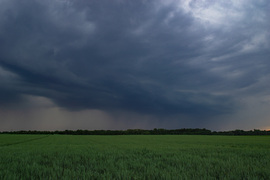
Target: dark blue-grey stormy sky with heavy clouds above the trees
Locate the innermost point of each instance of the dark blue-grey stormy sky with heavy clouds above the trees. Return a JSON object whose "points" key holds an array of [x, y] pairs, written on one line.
{"points": [[125, 64]]}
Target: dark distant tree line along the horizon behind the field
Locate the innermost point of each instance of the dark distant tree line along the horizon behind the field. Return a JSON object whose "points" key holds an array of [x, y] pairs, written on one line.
{"points": [[159, 131]]}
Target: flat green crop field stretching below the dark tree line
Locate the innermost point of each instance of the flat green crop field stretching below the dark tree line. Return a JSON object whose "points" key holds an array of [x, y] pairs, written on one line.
{"points": [[134, 157]]}
